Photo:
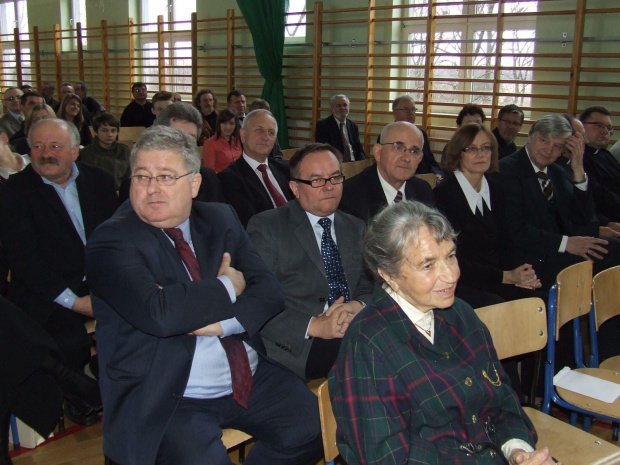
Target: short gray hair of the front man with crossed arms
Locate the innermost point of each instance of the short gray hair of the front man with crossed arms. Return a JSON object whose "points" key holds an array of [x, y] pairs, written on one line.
{"points": [[166, 138]]}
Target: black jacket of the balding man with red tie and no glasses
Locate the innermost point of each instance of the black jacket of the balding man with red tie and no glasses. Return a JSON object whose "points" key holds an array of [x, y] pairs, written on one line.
{"points": [[246, 193]]}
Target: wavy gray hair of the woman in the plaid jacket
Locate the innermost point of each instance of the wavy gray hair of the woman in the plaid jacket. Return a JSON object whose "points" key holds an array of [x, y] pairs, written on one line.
{"points": [[395, 229]]}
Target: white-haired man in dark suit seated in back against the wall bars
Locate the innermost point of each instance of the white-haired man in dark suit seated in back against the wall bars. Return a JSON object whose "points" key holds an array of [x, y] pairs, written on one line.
{"points": [[340, 131]]}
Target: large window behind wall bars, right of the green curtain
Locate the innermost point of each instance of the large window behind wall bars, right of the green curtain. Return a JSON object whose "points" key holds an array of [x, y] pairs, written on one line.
{"points": [[465, 53]]}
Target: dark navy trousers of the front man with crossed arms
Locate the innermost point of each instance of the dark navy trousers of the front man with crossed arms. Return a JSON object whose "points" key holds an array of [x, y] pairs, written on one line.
{"points": [[283, 418]]}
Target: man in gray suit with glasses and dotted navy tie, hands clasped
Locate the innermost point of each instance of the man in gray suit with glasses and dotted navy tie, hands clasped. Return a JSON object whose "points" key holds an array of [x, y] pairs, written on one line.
{"points": [[315, 251]]}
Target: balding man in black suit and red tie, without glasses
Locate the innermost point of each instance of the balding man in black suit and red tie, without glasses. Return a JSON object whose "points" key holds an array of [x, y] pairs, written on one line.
{"points": [[255, 182]]}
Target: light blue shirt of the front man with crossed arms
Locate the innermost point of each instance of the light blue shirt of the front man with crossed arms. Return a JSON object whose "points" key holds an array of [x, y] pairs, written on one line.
{"points": [[209, 377]]}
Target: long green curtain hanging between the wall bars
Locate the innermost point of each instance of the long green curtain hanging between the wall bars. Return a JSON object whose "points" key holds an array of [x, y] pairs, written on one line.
{"points": [[266, 20]]}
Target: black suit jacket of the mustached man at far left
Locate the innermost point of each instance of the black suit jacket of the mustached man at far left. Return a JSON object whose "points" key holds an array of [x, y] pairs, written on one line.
{"points": [[44, 251]]}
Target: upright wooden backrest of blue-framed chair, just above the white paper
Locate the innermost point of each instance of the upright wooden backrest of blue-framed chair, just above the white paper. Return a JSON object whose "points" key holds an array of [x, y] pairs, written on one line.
{"points": [[574, 293]]}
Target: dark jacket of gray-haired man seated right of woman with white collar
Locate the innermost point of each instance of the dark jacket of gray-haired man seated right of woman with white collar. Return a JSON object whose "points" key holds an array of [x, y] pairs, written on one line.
{"points": [[535, 225]]}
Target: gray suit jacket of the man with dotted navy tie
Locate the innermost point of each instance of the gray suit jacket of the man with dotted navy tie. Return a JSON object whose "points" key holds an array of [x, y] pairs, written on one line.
{"points": [[285, 239]]}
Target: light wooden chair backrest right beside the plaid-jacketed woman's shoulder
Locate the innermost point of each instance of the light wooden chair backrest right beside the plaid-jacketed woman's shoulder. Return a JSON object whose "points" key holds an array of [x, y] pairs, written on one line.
{"points": [[517, 327]]}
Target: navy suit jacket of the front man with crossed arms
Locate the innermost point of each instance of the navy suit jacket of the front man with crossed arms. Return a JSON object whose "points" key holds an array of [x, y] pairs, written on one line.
{"points": [[146, 304]]}
